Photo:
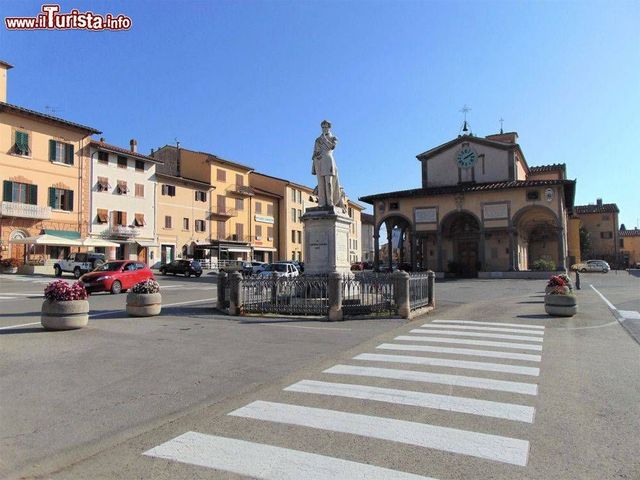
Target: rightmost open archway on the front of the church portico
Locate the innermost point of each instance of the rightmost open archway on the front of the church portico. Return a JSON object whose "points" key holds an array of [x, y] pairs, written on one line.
{"points": [[539, 235]]}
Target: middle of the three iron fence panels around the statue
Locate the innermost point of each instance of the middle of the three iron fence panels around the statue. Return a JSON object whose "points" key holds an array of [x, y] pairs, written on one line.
{"points": [[368, 294]]}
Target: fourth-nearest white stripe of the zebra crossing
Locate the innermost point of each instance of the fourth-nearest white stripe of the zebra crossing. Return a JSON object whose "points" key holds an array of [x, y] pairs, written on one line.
{"points": [[438, 378]]}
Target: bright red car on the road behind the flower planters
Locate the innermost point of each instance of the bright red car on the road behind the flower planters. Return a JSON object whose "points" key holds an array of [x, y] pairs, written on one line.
{"points": [[116, 276]]}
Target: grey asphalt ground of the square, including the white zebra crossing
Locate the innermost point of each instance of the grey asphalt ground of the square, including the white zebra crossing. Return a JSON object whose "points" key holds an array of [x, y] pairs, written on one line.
{"points": [[205, 395]]}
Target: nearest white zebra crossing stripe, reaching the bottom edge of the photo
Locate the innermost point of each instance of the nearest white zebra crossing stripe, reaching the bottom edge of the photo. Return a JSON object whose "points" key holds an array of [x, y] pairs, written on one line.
{"points": [[267, 462]]}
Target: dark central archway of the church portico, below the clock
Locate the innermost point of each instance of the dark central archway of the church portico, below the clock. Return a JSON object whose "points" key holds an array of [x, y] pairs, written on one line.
{"points": [[460, 243]]}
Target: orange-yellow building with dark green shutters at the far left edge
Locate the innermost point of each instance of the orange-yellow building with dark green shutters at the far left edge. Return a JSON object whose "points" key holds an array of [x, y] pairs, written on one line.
{"points": [[43, 166]]}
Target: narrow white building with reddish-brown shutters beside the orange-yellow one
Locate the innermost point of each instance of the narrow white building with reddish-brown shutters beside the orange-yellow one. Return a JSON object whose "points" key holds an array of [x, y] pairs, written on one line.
{"points": [[123, 201]]}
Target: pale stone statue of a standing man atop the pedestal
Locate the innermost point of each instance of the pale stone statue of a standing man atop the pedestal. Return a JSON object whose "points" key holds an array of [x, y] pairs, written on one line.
{"points": [[324, 166]]}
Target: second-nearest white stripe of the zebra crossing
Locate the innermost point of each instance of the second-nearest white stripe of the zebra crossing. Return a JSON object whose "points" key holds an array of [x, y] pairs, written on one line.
{"points": [[482, 445]]}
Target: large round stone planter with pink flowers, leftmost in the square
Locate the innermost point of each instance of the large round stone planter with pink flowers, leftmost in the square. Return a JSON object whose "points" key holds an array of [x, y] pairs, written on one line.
{"points": [[65, 307]]}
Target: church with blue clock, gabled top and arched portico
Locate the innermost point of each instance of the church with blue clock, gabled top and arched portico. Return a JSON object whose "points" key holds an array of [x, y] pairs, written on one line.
{"points": [[481, 208]]}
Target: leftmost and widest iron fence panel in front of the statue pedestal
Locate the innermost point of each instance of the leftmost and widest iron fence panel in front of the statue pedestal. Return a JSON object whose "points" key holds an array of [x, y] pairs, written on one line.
{"points": [[303, 295]]}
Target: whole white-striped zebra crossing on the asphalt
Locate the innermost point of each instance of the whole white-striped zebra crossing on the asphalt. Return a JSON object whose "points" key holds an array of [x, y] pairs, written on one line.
{"points": [[449, 370]]}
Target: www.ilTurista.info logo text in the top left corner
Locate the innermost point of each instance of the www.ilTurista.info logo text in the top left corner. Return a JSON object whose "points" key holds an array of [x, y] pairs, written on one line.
{"points": [[52, 19]]}
